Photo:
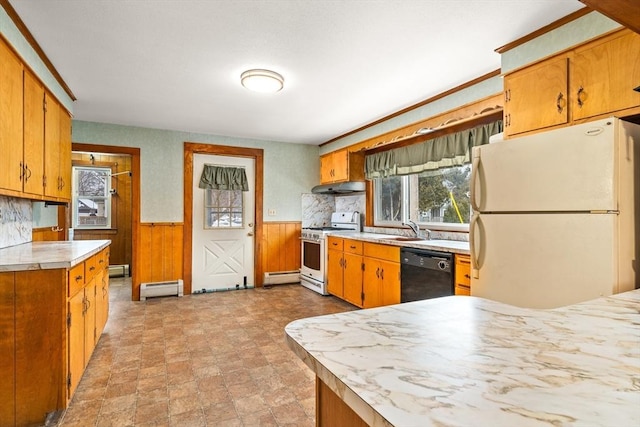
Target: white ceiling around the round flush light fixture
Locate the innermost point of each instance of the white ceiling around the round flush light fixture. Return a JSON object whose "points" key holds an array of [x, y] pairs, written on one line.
{"points": [[175, 64]]}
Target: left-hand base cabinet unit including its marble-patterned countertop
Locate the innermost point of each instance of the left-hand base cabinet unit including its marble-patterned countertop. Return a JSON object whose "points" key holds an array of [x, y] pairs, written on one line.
{"points": [[54, 304]]}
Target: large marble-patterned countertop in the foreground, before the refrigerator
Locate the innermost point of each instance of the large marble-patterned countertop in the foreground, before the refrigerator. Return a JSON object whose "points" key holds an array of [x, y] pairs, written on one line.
{"points": [[466, 361]]}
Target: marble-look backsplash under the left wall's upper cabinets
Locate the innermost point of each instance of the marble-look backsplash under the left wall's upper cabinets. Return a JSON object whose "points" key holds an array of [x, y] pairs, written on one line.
{"points": [[16, 221]]}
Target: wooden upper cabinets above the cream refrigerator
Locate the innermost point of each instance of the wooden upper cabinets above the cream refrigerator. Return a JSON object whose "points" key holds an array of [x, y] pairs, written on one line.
{"points": [[590, 81]]}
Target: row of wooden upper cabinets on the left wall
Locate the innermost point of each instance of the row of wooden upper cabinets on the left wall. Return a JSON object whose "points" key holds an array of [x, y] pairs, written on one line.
{"points": [[35, 135]]}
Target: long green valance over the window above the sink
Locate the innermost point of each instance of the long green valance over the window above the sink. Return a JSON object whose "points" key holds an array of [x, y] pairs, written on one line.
{"points": [[441, 152]]}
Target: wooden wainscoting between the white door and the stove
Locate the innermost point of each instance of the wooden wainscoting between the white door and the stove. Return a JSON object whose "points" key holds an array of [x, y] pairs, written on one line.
{"points": [[281, 246]]}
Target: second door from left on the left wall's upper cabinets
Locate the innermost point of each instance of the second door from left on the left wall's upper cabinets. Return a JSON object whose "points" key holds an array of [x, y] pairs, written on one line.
{"points": [[33, 135]]}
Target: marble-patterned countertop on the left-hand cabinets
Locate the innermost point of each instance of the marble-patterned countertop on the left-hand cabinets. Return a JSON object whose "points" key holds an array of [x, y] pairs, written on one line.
{"points": [[49, 255]]}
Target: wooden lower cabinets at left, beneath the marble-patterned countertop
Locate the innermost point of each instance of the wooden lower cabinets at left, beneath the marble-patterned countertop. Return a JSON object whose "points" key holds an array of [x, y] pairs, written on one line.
{"points": [[46, 339]]}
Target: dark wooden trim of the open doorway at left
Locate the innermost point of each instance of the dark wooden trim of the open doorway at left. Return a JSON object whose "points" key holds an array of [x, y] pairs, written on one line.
{"points": [[135, 200]]}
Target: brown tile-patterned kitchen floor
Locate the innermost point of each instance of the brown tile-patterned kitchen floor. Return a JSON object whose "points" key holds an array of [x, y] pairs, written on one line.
{"points": [[216, 359]]}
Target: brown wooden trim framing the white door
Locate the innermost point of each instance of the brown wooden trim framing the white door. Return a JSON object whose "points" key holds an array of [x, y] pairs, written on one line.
{"points": [[191, 148]]}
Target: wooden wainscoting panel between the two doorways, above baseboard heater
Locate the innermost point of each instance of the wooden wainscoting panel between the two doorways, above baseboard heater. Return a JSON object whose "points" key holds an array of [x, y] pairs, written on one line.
{"points": [[161, 253]]}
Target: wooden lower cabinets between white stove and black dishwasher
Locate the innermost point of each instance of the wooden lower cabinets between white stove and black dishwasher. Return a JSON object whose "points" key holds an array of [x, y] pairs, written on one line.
{"points": [[362, 273]]}
